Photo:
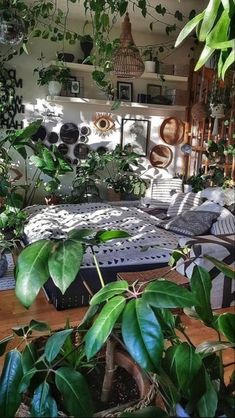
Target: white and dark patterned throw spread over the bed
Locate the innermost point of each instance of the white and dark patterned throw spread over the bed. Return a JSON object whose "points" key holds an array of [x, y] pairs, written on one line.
{"points": [[148, 243]]}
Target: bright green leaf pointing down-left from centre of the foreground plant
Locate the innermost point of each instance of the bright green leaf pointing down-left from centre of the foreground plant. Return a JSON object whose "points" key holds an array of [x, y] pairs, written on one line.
{"points": [[103, 325]]}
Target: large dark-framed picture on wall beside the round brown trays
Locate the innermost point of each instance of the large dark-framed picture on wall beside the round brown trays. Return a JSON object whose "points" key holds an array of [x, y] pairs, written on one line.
{"points": [[135, 133]]}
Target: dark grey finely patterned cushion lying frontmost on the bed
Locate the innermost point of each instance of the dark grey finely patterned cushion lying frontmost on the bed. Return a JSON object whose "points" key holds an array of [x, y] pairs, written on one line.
{"points": [[190, 223]]}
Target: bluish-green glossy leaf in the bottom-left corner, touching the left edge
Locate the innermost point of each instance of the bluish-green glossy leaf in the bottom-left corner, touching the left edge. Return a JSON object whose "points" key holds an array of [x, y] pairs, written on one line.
{"points": [[11, 376]]}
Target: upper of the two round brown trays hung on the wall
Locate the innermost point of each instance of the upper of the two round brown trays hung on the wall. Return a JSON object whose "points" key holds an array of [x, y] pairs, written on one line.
{"points": [[172, 131]]}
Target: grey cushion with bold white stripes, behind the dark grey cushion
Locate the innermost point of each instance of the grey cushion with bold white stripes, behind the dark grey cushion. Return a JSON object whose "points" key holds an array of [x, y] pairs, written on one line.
{"points": [[182, 202]]}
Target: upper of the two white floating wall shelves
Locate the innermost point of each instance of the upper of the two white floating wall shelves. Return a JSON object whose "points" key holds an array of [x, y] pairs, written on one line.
{"points": [[73, 66]]}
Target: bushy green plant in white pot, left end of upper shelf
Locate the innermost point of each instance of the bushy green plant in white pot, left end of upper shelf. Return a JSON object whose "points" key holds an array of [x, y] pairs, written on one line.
{"points": [[55, 77]]}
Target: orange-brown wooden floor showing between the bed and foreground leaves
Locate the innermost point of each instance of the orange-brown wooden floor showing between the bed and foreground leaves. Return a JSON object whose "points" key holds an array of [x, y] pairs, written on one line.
{"points": [[12, 314]]}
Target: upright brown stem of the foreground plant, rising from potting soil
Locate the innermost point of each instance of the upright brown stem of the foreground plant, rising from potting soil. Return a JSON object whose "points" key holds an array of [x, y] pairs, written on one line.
{"points": [[109, 370]]}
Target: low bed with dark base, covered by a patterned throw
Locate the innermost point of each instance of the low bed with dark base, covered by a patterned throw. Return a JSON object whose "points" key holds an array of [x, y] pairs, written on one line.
{"points": [[148, 246]]}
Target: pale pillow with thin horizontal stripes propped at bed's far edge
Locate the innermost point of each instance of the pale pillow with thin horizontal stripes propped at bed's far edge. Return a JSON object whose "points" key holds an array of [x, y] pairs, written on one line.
{"points": [[163, 190]]}
